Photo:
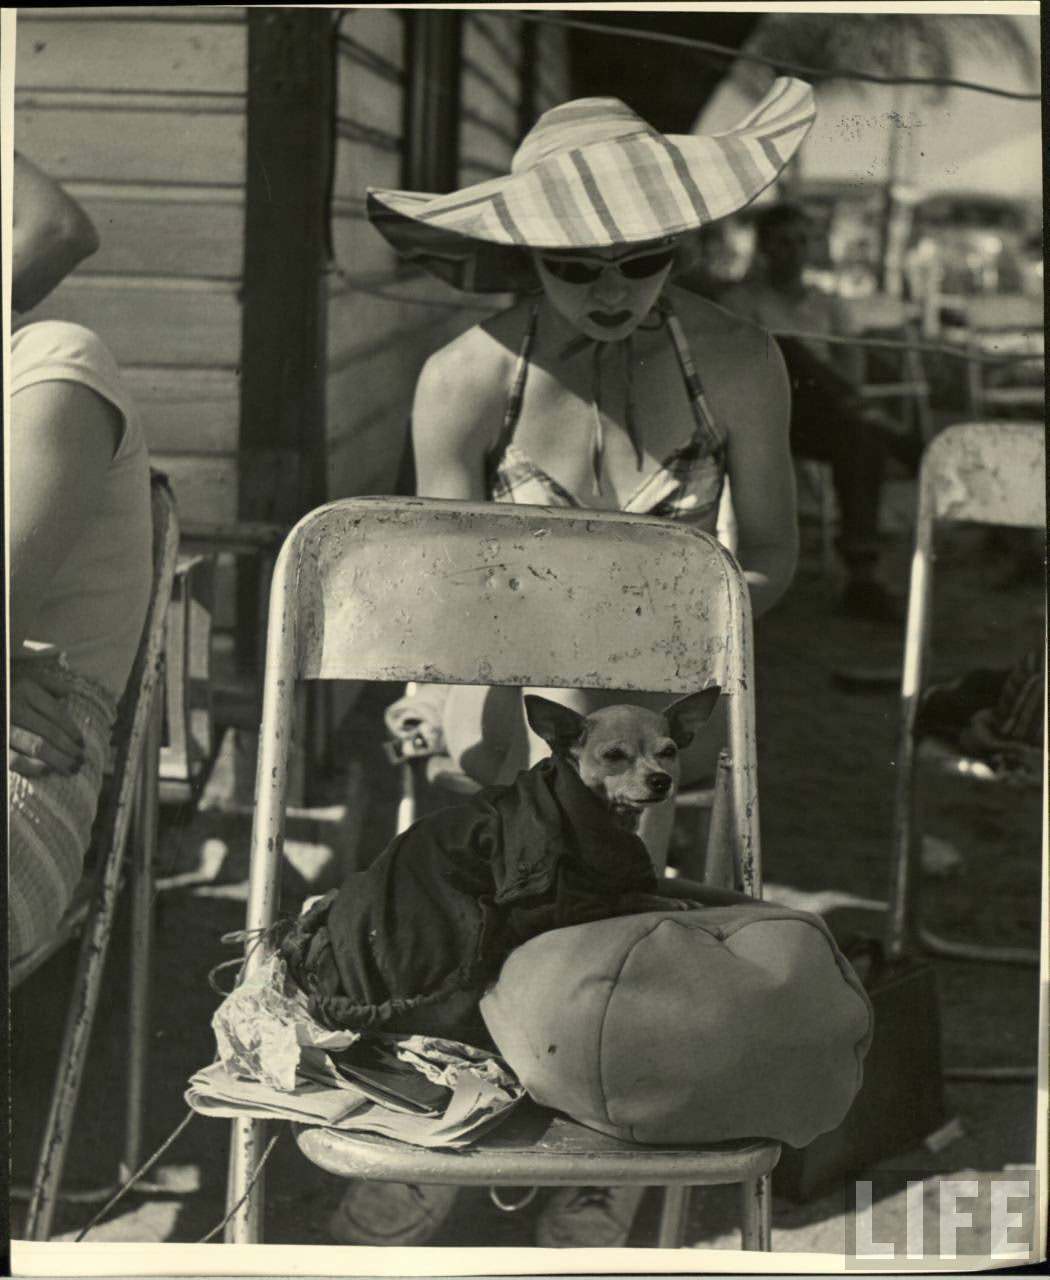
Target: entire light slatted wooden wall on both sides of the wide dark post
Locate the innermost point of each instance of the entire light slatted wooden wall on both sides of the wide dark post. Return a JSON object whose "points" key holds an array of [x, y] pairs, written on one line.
{"points": [[140, 112]]}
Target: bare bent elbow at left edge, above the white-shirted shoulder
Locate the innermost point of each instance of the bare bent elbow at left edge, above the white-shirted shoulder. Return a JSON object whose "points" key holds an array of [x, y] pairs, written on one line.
{"points": [[51, 235]]}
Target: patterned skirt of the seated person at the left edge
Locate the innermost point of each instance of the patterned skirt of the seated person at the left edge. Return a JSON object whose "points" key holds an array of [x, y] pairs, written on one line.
{"points": [[51, 819]]}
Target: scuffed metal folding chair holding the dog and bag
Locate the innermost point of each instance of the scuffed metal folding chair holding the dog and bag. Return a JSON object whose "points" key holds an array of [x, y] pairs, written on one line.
{"points": [[407, 589]]}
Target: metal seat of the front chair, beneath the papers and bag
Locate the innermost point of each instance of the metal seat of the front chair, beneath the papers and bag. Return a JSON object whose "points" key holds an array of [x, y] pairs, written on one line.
{"points": [[537, 1146]]}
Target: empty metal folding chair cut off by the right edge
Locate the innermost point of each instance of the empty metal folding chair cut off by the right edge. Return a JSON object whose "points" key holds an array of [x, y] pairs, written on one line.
{"points": [[990, 474]]}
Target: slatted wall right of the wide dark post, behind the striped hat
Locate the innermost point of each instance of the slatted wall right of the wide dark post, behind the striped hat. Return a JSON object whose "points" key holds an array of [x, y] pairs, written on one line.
{"points": [[385, 319]]}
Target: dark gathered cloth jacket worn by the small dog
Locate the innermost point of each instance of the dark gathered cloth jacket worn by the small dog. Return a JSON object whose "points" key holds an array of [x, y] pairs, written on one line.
{"points": [[412, 943]]}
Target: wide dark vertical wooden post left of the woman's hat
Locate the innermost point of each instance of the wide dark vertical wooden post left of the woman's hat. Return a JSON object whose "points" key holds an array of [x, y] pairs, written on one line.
{"points": [[282, 432]]}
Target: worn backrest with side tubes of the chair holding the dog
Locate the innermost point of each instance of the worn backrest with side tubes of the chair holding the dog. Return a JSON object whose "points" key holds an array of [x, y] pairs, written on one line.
{"points": [[491, 595]]}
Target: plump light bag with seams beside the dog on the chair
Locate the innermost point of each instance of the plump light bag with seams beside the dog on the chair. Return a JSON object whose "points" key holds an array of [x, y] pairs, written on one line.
{"points": [[687, 1027]]}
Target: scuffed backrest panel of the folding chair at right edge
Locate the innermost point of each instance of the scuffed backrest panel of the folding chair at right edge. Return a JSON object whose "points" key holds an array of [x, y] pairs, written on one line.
{"points": [[988, 473]]}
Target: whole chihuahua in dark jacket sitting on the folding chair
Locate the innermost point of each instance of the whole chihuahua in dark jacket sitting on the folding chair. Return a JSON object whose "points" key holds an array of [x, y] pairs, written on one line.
{"points": [[416, 938]]}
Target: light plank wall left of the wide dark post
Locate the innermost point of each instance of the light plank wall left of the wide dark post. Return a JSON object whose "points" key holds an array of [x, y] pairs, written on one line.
{"points": [[140, 113]]}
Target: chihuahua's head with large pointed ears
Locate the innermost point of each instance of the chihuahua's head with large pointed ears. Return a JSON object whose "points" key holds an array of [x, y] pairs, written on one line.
{"points": [[627, 756]]}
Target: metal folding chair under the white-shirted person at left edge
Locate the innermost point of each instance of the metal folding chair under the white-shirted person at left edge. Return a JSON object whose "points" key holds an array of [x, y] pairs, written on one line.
{"points": [[130, 813]]}
